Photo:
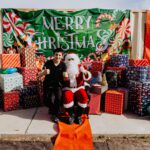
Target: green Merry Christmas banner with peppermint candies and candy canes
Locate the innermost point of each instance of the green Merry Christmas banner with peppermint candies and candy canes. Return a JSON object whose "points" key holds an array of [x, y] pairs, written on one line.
{"points": [[101, 31]]}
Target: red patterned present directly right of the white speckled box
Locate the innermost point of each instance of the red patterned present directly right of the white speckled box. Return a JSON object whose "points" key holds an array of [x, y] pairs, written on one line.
{"points": [[29, 75]]}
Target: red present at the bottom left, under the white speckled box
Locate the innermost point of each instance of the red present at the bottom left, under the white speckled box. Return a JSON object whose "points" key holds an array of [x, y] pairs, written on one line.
{"points": [[10, 100]]}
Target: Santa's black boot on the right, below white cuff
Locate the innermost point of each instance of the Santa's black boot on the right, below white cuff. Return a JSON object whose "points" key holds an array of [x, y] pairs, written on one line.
{"points": [[78, 118]]}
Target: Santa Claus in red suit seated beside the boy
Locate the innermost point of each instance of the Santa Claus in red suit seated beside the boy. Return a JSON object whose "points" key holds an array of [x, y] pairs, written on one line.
{"points": [[74, 86]]}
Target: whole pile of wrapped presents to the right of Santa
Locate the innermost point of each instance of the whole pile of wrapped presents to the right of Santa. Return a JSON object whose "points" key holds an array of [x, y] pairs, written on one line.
{"points": [[128, 83]]}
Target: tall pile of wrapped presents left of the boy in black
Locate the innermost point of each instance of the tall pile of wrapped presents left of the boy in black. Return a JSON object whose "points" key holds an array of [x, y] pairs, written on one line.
{"points": [[19, 88]]}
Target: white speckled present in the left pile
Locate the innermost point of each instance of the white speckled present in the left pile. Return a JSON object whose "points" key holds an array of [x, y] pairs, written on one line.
{"points": [[9, 82]]}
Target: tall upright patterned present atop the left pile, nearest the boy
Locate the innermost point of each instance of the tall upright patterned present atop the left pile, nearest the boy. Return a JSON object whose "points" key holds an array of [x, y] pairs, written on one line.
{"points": [[28, 57]]}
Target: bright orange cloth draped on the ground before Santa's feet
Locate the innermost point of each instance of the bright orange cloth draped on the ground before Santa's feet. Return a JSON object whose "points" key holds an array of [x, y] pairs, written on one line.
{"points": [[74, 137]]}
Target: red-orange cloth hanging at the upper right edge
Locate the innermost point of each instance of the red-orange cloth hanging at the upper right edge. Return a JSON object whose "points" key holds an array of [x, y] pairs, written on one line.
{"points": [[147, 38]]}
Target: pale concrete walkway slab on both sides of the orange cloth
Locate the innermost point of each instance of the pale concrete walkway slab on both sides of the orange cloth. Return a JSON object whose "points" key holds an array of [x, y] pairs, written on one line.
{"points": [[36, 121]]}
